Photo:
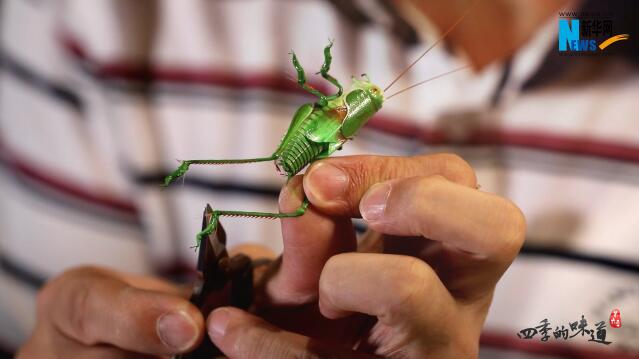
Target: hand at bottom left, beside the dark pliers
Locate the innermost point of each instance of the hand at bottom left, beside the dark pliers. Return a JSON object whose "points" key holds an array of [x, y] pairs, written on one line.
{"points": [[90, 312]]}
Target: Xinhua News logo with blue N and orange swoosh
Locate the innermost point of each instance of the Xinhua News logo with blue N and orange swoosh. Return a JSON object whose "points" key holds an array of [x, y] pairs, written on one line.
{"points": [[583, 33]]}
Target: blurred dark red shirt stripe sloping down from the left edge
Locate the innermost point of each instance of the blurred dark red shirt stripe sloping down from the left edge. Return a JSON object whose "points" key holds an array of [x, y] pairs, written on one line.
{"points": [[65, 186]]}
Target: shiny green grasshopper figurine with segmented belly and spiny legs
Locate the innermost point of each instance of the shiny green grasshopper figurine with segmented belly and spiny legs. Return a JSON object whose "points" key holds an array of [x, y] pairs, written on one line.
{"points": [[317, 130]]}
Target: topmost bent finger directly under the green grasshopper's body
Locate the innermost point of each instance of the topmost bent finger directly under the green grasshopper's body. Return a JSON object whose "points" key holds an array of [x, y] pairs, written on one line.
{"points": [[336, 185]]}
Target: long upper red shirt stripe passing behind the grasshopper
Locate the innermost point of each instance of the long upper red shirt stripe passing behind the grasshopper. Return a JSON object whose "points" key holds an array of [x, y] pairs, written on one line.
{"points": [[397, 126]]}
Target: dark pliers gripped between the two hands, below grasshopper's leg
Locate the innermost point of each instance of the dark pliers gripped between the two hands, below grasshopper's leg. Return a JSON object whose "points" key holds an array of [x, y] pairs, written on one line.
{"points": [[221, 281]]}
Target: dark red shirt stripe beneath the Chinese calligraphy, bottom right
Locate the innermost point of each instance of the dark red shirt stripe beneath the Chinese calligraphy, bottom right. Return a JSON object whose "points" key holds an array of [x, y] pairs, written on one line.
{"points": [[563, 349]]}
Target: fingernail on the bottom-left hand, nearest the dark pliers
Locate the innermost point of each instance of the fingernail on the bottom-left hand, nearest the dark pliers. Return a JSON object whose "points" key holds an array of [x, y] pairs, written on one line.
{"points": [[176, 330]]}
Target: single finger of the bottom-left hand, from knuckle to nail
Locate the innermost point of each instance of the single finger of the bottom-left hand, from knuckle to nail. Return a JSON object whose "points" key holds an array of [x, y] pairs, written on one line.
{"points": [[93, 307]]}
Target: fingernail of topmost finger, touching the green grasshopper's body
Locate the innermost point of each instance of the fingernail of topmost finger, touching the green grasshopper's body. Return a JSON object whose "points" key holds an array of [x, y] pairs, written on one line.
{"points": [[326, 182]]}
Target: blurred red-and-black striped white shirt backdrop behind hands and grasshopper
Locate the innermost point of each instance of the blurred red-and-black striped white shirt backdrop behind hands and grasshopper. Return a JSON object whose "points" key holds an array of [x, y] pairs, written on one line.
{"points": [[98, 99]]}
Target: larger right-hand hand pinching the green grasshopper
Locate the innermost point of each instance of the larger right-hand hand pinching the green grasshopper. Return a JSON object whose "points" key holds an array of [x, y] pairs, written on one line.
{"points": [[445, 246]]}
